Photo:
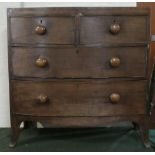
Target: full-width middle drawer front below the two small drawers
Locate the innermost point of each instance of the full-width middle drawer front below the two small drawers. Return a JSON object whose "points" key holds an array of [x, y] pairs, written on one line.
{"points": [[85, 63]]}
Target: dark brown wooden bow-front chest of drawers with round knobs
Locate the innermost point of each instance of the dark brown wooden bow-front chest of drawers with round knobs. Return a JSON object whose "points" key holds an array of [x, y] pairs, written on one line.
{"points": [[78, 67]]}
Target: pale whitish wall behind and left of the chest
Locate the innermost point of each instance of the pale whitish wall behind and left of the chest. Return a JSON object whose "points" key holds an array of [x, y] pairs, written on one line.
{"points": [[4, 83]]}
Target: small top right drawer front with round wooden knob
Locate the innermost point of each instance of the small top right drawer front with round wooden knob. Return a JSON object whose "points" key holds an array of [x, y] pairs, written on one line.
{"points": [[113, 29]]}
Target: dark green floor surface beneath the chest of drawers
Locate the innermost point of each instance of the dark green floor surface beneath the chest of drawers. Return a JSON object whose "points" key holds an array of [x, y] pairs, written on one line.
{"points": [[112, 139]]}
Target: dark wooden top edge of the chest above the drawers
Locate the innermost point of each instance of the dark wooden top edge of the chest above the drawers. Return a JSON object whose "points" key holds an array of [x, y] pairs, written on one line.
{"points": [[70, 11]]}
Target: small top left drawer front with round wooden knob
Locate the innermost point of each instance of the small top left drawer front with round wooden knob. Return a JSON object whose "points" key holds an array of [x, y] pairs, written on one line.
{"points": [[48, 30]]}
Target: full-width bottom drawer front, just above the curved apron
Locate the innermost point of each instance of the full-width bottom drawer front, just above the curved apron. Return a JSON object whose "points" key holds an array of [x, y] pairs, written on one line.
{"points": [[79, 98]]}
